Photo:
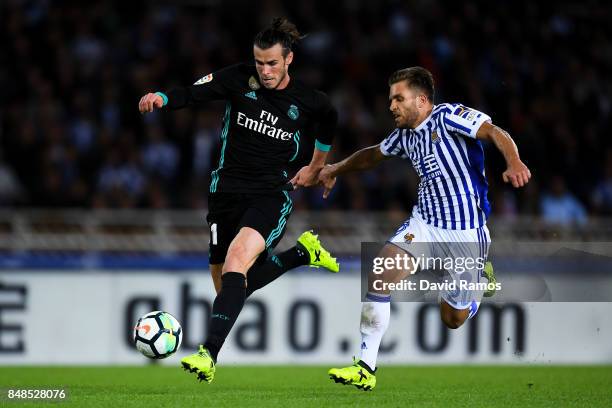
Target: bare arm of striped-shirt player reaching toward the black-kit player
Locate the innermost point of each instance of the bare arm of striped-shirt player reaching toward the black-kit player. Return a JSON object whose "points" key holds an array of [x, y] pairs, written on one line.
{"points": [[363, 159]]}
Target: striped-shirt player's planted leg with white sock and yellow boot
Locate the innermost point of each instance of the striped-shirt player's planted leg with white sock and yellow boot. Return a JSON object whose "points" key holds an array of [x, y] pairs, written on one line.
{"points": [[375, 316]]}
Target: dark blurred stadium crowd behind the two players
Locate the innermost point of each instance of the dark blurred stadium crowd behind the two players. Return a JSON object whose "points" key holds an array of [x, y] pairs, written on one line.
{"points": [[72, 74]]}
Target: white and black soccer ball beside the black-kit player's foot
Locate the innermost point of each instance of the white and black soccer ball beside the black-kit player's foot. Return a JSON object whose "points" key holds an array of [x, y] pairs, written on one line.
{"points": [[157, 335]]}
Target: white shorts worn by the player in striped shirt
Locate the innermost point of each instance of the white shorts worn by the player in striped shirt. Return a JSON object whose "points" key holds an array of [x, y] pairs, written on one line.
{"points": [[452, 250]]}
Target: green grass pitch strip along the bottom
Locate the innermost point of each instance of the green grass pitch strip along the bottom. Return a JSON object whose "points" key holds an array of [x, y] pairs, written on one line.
{"points": [[298, 386]]}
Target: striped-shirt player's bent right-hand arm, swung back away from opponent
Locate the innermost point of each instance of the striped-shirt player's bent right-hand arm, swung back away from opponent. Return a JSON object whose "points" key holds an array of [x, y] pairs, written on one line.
{"points": [[516, 172]]}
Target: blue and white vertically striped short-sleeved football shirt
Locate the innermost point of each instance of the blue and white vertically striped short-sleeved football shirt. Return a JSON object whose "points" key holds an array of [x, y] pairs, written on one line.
{"points": [[449, 160]]}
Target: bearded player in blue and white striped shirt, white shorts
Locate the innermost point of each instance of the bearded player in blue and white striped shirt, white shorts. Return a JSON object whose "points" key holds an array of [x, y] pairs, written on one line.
{"points": [[443, 142]]}
